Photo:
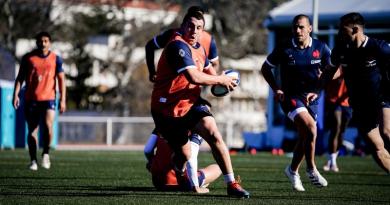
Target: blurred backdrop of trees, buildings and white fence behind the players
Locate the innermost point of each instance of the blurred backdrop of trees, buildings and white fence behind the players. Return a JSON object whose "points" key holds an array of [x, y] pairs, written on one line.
{"points": [[102, 45]]}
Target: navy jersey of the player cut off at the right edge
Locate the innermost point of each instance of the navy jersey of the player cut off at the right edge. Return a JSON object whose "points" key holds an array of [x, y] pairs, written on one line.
{"points": [[365, 71]]}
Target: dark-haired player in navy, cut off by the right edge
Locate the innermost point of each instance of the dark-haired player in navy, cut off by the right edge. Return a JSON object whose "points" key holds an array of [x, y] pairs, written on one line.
{"points": [[365, 64]]}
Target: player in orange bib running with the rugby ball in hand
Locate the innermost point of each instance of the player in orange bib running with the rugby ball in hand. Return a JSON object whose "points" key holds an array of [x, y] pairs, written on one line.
{"points": [[182, 68]]}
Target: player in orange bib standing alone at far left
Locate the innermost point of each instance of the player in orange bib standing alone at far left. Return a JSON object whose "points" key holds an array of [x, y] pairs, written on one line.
{"points": [[40, 69]]}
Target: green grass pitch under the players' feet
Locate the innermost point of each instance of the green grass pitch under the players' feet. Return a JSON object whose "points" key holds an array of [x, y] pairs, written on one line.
{"points": [[120, 177]]}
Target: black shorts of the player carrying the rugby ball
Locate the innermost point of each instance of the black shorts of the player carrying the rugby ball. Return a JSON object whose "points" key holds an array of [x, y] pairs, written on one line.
{"points": [[176, 130]]}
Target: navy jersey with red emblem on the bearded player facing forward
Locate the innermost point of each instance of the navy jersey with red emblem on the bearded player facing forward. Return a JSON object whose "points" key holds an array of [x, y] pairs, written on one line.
{"points": [[299, 68]]}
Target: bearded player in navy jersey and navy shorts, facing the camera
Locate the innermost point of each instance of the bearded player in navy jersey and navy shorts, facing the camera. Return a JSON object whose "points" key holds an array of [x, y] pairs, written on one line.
{"points": [[300, 62]]}
